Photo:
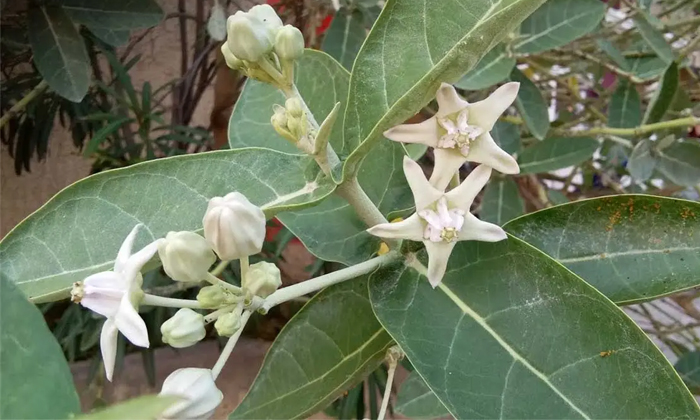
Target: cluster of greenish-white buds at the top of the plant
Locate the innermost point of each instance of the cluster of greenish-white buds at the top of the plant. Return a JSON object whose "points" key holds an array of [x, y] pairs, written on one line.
{"points": [[262, 47]]}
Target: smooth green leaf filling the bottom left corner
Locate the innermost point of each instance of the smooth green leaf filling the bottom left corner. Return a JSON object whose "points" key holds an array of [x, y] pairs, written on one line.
{"points": [[36, 380]]}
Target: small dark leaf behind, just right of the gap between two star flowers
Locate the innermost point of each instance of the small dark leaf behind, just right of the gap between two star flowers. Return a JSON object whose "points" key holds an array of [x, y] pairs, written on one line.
{"points": [[501, 201]]}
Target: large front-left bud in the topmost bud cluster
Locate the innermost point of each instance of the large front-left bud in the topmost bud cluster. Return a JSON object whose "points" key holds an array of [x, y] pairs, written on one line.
{"points": [[248, 37]]}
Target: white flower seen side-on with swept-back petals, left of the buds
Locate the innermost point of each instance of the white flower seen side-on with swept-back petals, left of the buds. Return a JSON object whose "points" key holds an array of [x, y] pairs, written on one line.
{"points": [[115, 295]]}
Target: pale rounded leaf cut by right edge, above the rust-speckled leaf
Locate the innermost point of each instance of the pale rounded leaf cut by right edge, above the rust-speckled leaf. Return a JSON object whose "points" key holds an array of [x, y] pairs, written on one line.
{"points": [[680, 163]]}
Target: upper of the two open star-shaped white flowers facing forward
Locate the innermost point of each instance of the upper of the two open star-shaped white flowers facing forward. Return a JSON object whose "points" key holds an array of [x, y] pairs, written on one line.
{"points": [[459, 132]]}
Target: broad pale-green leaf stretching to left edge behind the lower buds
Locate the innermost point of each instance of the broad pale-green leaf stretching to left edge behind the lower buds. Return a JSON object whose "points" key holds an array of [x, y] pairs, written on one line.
{"points": [[79, 231]]}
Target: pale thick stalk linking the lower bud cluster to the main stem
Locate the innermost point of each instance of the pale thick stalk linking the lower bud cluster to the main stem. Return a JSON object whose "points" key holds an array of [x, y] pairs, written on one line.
{"points": [[300, 289]]}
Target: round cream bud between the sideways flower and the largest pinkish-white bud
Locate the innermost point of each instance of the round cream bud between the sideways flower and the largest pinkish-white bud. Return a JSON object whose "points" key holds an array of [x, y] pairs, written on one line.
{"points": [[186, 256]]}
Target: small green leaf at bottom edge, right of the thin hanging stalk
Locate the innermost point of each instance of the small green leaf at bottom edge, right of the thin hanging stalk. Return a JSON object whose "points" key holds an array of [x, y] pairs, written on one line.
{"points": [[416, 401]]}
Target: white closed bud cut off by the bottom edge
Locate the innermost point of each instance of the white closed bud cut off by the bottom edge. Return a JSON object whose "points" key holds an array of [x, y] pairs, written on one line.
{"points": [[197, 389]]}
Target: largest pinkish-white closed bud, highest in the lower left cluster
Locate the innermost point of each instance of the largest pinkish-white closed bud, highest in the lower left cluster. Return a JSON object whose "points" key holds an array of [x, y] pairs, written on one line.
{"points": [[234, 227]]}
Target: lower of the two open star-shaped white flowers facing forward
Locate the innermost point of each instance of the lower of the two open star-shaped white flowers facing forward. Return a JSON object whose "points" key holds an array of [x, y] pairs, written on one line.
{"points": [[441, 219]]}
